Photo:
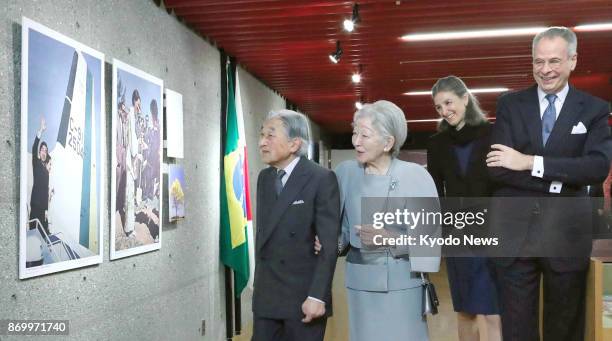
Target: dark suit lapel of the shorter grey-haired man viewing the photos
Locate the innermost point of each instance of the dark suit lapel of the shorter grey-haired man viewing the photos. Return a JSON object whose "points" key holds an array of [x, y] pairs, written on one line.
{"points": [[296, 182]]}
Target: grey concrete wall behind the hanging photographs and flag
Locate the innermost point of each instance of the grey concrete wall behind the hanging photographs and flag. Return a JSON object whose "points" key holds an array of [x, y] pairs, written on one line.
{"points": [[160, 295]]}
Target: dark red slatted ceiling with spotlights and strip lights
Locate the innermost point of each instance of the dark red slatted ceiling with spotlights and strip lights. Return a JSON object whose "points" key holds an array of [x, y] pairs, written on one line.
{"points": [[286, 45]]}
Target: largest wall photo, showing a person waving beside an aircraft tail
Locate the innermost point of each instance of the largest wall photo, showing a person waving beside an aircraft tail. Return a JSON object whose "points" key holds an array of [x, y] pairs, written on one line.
{"points": [[62, 153]]}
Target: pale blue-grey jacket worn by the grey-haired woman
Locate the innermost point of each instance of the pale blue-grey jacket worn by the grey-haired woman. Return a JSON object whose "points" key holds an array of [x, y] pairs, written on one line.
{"points": [[385, 268]]}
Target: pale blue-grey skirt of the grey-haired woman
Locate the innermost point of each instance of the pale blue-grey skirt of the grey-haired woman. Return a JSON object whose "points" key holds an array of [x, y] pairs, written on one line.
{"points": [[386, 316]]}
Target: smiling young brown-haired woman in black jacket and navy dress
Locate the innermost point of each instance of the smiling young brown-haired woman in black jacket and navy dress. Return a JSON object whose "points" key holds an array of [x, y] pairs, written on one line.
{"points": [[456, 161]]}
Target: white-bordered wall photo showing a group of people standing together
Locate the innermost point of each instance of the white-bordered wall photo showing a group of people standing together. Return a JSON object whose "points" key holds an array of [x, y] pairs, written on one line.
{"points": [[136, 182]]}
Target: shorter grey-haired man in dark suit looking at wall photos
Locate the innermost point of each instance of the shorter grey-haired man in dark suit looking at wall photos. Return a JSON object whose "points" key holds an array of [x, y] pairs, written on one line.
{"points": [[296, 201]]}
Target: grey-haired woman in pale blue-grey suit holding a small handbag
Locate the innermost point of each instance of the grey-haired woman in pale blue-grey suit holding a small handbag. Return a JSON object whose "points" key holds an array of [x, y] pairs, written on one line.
{"points": [[383, 282]]}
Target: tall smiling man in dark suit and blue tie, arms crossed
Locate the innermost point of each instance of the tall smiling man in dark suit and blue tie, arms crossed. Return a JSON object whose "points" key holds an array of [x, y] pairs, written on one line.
{"points": [[549, 141]]}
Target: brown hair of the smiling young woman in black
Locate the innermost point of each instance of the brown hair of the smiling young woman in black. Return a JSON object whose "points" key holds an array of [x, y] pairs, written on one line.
{"points": [[453, 84]]}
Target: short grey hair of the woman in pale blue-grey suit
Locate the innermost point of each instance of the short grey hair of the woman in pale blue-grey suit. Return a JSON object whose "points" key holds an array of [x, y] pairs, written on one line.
{"points": [[388, 120]]}
